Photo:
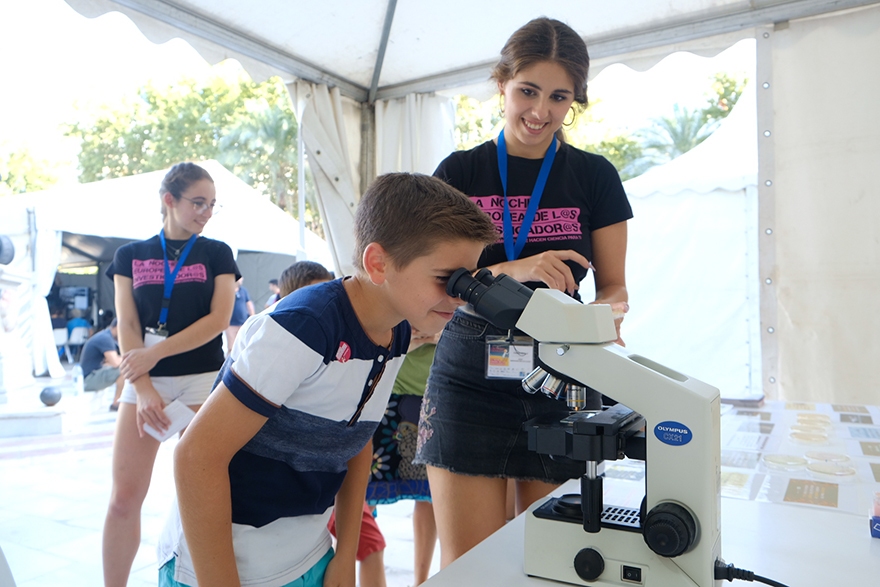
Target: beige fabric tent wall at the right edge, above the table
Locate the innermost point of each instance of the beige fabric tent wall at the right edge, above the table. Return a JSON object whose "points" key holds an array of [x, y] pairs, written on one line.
{"points": [[827, 206]]}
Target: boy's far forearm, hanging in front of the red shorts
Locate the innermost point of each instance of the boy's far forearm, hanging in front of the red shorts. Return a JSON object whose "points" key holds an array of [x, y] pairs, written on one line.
{"points": [[349, 511]]}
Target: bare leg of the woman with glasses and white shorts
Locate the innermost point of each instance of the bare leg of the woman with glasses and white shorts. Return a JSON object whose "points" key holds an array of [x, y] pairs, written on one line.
{"points": [[133, 459]]}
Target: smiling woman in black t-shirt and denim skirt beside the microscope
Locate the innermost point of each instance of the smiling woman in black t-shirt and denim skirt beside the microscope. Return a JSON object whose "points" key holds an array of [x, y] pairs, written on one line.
{"points": [[560, 212]]}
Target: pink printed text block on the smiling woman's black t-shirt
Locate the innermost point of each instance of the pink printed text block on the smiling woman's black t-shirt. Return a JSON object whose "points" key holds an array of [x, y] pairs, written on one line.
{"points": [[550, 224]]}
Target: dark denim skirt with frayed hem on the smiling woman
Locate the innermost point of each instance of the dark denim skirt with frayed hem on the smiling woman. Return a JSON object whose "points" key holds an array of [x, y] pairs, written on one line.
{"points": [[473, 425]]}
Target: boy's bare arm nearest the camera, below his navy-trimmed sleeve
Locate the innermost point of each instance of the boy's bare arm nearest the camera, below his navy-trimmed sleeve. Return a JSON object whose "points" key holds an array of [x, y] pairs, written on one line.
{"points": [[201, 474]]}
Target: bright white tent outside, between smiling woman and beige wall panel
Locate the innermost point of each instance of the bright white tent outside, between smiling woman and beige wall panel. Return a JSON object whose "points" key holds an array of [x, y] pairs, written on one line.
{"points": [[692, 259]]}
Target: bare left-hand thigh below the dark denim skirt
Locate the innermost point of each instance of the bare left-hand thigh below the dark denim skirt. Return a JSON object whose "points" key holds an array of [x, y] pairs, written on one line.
{"points": [[467, 510]]}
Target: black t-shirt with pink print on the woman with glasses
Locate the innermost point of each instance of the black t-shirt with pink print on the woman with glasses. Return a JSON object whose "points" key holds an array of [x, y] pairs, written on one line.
{"points": [[143, 262]]}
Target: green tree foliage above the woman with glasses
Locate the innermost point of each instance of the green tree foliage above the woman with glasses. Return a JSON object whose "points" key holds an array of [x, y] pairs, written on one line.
{"points": [[250, 128]]}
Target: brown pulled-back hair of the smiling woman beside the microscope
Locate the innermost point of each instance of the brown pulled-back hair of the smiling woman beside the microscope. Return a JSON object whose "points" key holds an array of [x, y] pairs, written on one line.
{"points": [[546, 39]]}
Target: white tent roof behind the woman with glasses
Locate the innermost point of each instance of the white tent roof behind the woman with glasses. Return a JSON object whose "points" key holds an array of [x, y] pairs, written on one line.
{"points": [[95, 218]]}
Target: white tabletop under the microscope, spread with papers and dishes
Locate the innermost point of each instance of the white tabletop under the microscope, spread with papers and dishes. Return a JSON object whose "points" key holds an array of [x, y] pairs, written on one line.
{"points": [[796, 544]]}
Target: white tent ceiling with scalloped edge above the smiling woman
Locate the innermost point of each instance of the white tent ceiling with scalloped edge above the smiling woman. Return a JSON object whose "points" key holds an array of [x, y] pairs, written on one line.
{"points": [[382, 49]]}
